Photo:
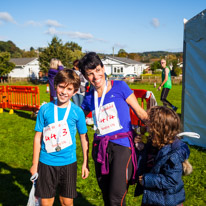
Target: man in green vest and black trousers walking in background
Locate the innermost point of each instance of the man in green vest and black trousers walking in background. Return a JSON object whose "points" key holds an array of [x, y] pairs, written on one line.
{"points": [[166, 84]]}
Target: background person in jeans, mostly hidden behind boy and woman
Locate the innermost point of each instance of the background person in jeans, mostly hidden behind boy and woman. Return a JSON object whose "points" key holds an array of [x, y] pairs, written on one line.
{"points": [[79, 96]]}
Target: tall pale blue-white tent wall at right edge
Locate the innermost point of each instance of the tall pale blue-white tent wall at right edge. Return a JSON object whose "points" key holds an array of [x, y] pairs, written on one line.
{"points": [[194, 79]]}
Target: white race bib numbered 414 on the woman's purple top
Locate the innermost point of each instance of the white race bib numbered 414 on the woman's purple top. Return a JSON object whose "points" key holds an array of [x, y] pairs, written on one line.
{"points": [[108, 119]]}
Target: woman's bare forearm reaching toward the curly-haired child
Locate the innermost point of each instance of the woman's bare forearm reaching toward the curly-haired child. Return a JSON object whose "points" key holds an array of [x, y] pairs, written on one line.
{"points": [[133, 103]]}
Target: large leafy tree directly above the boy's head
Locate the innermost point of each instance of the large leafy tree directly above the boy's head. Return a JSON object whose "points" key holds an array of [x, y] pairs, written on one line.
{"points": [[67, 53]]}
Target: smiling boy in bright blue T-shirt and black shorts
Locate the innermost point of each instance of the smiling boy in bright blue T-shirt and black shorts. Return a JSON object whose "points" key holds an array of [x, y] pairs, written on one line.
{"points": [[54, 153]]}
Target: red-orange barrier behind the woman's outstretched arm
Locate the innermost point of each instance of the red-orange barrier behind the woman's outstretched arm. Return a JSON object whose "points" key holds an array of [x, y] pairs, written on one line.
{"points": [[140, 94]]}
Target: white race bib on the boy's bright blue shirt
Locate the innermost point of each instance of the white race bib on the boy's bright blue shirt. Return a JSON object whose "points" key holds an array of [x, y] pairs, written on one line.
{"points": [[53, 131]]}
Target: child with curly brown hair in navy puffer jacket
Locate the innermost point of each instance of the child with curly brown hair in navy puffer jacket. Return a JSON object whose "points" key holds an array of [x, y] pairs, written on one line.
{"points": [[163, 184]]}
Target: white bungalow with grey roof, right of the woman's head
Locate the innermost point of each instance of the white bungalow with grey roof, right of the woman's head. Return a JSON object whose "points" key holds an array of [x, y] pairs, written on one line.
{"points": [[121, 65]]}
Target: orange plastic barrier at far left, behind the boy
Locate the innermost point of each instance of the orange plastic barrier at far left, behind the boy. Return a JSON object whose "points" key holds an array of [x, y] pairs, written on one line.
{"points": [[20, 97]]}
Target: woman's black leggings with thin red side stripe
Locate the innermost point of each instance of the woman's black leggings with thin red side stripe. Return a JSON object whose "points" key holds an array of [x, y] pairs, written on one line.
{"points": [[114, 186]]}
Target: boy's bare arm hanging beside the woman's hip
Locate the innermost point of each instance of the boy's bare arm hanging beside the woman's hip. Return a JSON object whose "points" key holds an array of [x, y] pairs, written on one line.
{"points": [[85, 151]]}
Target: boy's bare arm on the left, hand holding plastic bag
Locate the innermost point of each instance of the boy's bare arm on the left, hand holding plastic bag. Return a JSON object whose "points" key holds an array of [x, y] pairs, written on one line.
{"points": [[36, 151]]}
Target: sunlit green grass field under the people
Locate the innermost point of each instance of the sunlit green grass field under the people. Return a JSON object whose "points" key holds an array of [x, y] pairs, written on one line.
{"points": [[16, 148]]}
